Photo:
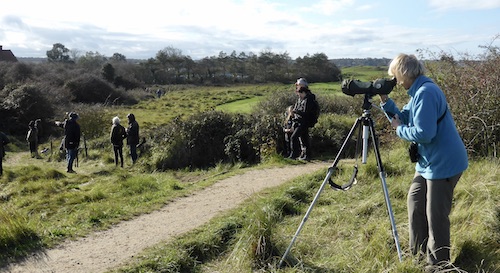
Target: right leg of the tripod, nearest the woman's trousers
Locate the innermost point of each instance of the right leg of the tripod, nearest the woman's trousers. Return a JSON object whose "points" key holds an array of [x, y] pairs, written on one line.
{"points": [[386, 192]]}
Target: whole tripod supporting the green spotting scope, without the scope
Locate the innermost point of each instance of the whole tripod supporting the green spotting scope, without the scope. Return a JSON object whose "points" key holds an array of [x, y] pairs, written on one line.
{"points": [[367, 129]]}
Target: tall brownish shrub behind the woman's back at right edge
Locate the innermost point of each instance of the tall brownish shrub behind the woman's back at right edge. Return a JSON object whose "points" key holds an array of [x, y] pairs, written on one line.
{"points": [[472, 87]]}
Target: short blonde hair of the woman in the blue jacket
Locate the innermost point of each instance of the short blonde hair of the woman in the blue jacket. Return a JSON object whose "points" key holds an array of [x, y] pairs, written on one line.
{"points": [[406, 68]]}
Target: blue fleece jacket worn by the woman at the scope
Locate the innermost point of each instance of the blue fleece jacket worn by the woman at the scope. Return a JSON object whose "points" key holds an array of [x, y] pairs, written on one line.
{"points": [[442, 151]]}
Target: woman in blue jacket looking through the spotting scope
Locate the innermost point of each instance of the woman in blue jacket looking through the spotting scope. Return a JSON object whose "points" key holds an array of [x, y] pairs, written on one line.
{"points": [[427, 121]]}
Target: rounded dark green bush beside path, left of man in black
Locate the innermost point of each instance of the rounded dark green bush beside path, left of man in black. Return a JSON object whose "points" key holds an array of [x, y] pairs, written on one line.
{"points": [[202, 140]]}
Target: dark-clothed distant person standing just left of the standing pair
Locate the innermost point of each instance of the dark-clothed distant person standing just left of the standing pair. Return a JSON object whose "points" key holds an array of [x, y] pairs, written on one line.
{"points": [[71, 138]]}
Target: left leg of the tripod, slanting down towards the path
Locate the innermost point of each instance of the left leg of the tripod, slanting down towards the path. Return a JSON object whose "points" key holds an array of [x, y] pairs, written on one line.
{"points": [[325, 181]]}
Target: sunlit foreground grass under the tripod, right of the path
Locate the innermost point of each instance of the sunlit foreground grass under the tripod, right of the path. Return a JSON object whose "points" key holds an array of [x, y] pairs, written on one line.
{"points": [[345, 232]]}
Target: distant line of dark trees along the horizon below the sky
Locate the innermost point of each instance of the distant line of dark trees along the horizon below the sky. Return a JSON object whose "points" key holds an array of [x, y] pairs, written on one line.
{"points": [[171, 66]]}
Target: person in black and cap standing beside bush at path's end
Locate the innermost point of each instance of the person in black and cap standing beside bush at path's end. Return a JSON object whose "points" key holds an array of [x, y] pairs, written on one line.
{"points": [[306, 112]]}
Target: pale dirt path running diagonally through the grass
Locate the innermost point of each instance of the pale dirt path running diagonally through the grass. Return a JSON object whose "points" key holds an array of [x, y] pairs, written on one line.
{"points": [[108, 249]]}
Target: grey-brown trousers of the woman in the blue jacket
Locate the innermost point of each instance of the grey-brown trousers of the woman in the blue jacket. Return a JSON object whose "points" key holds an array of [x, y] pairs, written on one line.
{"points": [[429, 207]]}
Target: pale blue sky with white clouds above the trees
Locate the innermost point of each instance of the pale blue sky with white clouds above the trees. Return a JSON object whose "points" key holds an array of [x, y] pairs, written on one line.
{"points": [[203, 28]]}
